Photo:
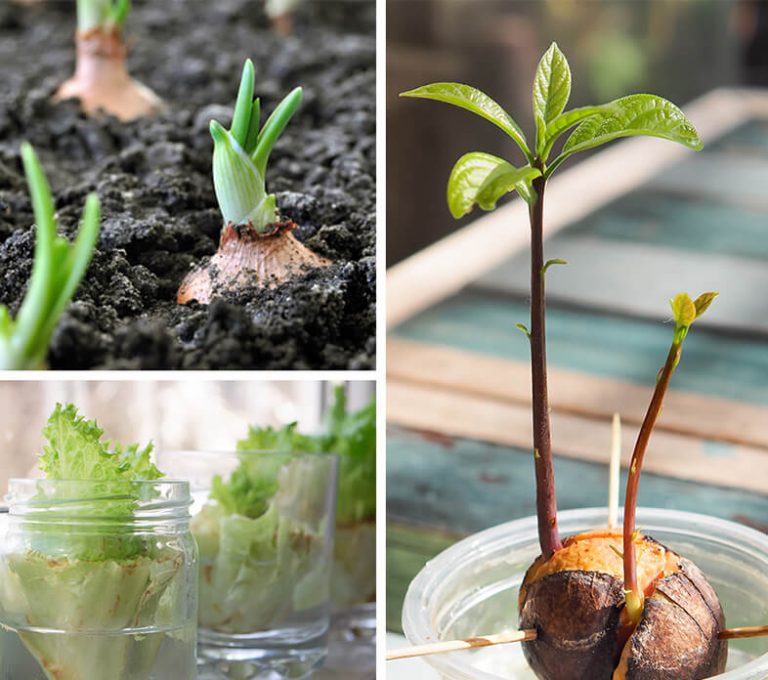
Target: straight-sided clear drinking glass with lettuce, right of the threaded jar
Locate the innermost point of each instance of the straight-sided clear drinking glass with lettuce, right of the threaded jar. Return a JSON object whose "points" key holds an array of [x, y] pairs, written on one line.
{"points": [[264, 524]]}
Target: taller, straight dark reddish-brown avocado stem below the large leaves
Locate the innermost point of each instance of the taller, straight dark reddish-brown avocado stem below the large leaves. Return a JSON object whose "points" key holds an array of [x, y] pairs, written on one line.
{"points": [[546, 502]]}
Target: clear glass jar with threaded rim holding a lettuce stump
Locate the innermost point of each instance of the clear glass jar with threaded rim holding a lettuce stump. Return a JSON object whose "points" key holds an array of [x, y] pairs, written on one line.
{"points": [[97, 580]]}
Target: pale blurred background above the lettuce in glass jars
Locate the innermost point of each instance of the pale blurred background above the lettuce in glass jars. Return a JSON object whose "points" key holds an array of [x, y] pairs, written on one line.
{"points": [[174, 414]]}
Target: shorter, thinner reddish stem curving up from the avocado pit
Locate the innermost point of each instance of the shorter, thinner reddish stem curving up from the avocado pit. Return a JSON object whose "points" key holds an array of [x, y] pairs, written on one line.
{"points": [[635, 596]]}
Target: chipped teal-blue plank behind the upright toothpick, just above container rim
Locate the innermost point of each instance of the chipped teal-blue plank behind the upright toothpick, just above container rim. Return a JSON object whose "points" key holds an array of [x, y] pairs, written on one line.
{"points": [[463, 486]]}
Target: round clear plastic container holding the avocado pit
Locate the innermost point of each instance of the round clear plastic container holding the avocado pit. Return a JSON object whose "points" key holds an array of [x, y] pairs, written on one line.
{"points": [[471, 588]]}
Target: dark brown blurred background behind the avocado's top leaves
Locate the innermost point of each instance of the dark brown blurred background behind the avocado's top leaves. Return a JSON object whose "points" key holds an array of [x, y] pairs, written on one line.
{"points": [[678, 49]]}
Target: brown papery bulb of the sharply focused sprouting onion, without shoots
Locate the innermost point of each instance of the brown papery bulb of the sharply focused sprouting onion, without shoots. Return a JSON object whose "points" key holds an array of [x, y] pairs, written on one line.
{"points": [[248, 259]]}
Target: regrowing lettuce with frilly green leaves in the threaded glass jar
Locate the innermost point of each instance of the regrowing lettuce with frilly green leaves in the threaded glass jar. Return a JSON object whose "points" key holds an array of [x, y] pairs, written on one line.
{"points": [[82, 574]]}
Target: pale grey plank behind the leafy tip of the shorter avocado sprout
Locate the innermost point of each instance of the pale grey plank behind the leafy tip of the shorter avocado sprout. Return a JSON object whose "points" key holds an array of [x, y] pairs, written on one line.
{"points": [[639, 278]]}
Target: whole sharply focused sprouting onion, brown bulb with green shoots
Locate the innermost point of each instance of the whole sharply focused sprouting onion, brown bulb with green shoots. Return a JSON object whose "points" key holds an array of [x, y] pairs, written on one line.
{"points": [[256, 247]]}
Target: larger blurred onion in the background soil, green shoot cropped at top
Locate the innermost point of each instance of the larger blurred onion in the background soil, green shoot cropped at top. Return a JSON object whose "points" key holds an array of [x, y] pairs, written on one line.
{"points": [[101, 80]]}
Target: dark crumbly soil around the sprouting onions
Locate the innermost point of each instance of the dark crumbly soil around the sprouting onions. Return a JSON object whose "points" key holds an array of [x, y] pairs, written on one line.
{"points": [[154, 180]]}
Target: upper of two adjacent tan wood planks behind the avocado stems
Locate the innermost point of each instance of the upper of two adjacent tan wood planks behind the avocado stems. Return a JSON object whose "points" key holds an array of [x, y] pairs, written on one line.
{"points": [[458, 371]]}
